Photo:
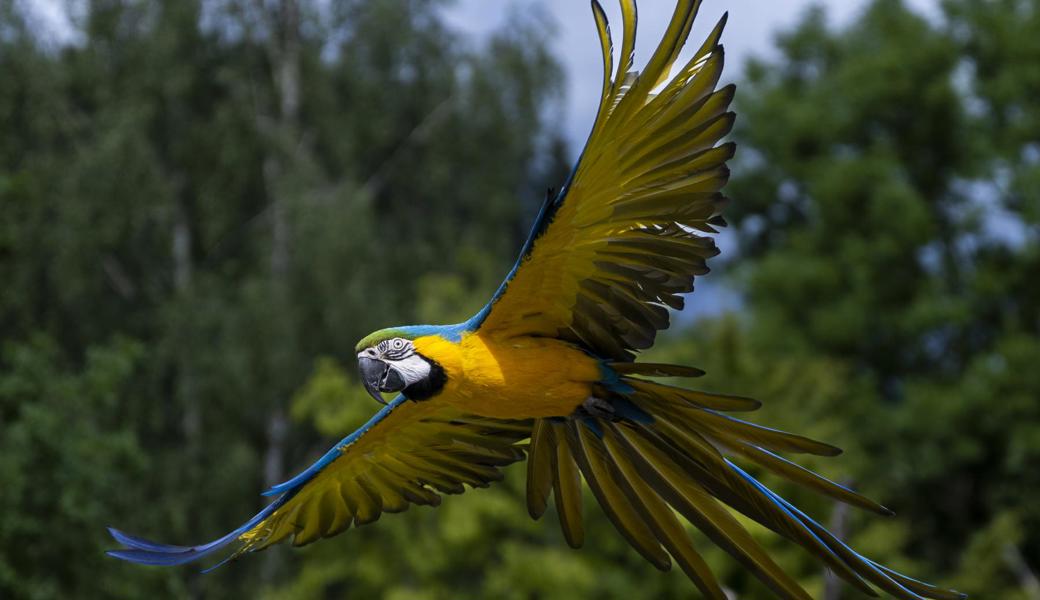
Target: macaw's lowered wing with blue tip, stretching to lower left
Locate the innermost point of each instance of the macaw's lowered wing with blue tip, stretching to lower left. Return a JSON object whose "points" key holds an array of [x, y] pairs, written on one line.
{"points": [[408, 454]]}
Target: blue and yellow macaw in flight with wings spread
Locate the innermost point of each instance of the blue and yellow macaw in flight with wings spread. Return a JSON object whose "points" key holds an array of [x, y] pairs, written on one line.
{"points": [[547, 371]]}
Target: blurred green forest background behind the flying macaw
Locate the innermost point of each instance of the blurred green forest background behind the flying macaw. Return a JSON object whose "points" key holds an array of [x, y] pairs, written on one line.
{"points": [[205, 203]]}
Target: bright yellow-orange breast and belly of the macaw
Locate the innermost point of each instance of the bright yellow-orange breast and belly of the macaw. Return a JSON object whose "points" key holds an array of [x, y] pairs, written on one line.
{"points": [[515, 379]]}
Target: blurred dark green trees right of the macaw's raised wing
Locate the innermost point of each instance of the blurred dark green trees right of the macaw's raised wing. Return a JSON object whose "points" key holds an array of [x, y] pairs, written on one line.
{"points": [[888, 203]]}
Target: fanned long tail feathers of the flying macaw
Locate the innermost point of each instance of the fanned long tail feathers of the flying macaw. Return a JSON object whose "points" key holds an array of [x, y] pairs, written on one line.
{"points": [[640, 473]]}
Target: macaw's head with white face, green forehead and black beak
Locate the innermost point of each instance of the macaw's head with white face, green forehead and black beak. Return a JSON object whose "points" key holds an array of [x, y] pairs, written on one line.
{"points": [[389, 362]]}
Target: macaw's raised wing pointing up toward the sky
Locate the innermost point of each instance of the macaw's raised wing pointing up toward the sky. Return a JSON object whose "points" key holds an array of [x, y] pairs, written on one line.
{"points": [[617, 245]]}
